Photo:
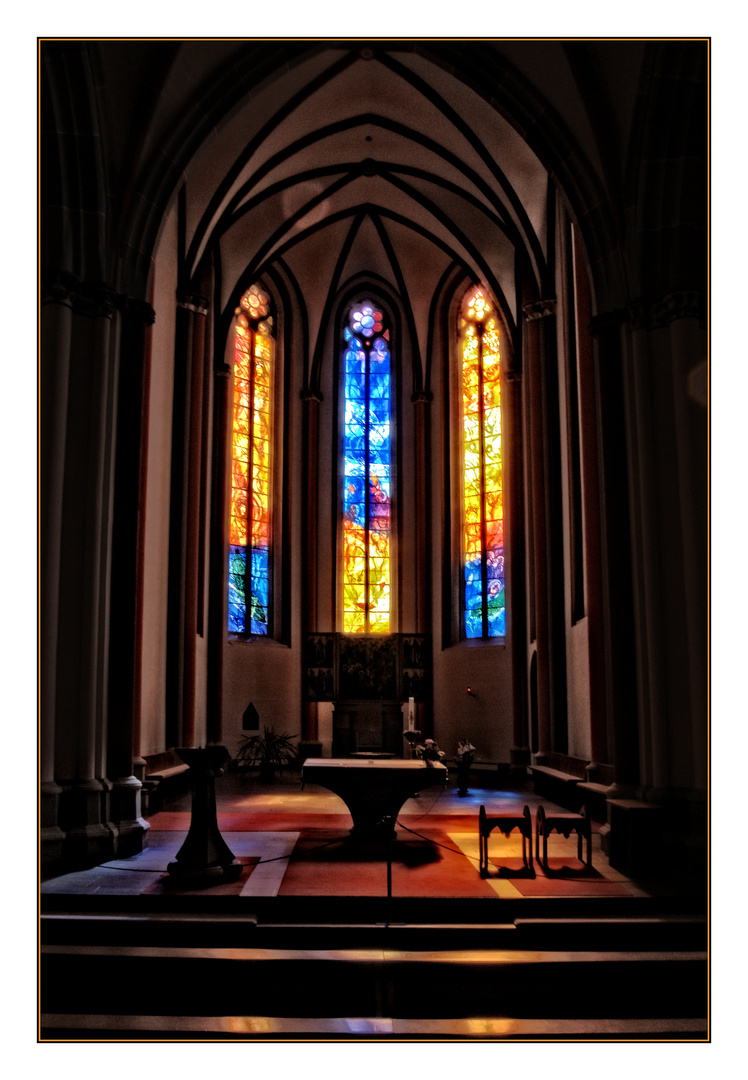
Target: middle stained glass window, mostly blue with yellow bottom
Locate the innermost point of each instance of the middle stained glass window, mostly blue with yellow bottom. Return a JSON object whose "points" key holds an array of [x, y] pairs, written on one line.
{"points": [[366, 481]]}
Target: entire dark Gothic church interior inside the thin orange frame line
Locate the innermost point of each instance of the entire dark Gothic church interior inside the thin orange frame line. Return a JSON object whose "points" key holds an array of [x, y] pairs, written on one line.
{"points": [[374, 531]]}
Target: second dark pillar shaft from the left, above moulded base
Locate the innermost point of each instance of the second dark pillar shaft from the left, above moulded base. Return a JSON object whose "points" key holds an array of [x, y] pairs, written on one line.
{"points": [[85, 560]]}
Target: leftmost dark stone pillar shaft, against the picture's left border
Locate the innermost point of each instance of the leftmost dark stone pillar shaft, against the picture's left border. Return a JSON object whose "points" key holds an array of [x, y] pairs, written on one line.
{"points": [[57, 323]]}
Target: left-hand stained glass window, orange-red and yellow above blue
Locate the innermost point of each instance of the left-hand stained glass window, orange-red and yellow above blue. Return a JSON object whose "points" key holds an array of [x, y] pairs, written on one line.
{"points": [[251, 466]]}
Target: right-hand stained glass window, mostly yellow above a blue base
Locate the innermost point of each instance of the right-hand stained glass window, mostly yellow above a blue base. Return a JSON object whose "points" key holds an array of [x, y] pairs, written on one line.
{"points": [[483, 511]]}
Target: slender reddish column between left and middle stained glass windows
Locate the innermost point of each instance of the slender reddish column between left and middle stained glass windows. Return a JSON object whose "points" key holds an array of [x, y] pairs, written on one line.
{"points": [[309, 746]]}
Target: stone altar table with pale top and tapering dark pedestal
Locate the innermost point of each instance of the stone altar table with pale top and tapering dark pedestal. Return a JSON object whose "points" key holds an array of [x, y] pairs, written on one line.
{"points": [[374, 789]]}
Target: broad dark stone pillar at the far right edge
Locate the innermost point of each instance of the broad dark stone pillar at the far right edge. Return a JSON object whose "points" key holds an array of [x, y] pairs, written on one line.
{"points": [[670, 502]]}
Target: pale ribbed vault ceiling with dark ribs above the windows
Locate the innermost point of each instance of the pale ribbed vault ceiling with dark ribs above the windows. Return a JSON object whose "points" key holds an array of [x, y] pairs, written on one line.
{"points": [[350, 163]]}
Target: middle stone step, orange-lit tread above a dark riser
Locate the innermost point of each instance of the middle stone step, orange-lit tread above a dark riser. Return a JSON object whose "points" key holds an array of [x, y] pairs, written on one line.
{"points": [[373, 982]]}
